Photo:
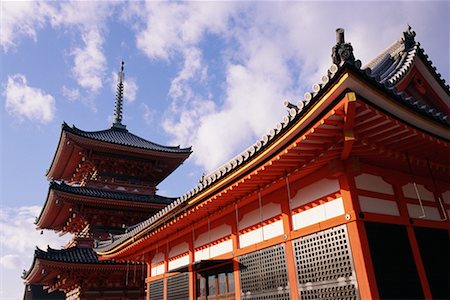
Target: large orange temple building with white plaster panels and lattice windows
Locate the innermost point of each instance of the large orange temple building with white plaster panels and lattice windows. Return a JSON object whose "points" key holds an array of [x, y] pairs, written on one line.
{"points": [[348, 197]]}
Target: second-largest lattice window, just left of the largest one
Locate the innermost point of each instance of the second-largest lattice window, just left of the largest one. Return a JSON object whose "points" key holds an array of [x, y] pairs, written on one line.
{"points": [[263, 274]]}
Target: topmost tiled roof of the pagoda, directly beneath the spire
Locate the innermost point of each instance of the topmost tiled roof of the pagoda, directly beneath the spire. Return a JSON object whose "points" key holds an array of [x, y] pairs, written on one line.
{"points": [[121, 136]]}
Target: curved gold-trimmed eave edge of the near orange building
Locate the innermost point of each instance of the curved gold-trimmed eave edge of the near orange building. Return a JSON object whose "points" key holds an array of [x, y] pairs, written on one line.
{"points": [[352, 79]]}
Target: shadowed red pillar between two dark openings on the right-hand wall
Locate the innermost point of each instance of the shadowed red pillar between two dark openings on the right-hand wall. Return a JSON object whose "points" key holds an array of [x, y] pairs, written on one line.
{"points": [[412, 241]]}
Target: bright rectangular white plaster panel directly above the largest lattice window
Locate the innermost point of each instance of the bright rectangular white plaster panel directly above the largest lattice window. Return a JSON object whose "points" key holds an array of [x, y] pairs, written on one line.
{"points": [[319, 213]]}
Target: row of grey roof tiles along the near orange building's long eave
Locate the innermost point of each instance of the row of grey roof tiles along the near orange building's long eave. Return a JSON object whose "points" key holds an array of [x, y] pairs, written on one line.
{"points": [[295, 112]]}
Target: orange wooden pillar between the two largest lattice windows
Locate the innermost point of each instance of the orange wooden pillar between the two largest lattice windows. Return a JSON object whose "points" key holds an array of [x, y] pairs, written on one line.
{"points": [[290, 259]]}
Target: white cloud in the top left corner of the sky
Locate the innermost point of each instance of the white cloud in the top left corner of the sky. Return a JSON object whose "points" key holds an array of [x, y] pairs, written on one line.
{"points": [[21, 18]]}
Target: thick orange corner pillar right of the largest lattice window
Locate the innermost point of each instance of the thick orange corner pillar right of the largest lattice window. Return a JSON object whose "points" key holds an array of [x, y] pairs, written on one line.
{"points": [[359, 244]]}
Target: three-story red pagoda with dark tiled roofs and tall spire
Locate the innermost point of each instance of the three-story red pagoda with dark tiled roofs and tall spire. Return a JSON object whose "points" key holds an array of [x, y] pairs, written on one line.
{"points": [[101, 183]]}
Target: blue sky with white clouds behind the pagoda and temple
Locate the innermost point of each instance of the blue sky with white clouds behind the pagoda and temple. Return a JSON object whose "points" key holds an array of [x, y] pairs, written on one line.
{"points": [[211, 75]]}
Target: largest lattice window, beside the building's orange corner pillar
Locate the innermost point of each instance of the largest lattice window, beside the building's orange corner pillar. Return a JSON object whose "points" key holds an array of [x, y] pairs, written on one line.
{"points": [[325, 266]]}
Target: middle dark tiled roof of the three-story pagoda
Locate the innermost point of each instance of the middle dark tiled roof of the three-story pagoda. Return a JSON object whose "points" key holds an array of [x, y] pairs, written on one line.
{"points": [[105, 194]]}
